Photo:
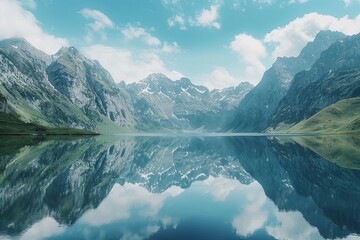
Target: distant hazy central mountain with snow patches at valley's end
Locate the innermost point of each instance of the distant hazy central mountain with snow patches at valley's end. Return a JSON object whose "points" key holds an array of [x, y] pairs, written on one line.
{"points": [[182, 105]]}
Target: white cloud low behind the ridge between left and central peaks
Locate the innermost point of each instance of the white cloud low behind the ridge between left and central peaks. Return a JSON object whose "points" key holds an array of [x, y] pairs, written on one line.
{"points": [[127, 66]]}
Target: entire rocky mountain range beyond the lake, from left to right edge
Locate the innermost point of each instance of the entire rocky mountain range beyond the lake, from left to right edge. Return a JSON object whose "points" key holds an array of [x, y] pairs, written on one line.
{"points": [[69, 90]]}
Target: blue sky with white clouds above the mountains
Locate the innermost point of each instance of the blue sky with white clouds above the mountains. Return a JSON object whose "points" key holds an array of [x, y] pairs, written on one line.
{"points": [[217, 43]]}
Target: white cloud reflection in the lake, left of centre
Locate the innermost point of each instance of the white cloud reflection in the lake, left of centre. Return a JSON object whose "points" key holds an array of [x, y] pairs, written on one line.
{"points": [[120, 205]]}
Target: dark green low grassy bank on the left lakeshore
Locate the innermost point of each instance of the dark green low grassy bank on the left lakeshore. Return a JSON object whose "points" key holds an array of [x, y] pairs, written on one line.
{"points": [[10, 125]]}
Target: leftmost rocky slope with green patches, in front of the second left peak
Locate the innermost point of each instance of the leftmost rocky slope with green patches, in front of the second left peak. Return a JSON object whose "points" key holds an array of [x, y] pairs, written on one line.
{"points": [[31, 96]]}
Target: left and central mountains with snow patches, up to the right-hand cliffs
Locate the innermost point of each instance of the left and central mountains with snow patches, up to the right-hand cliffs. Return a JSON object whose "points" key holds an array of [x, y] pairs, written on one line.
{"points": [[69, 90]]}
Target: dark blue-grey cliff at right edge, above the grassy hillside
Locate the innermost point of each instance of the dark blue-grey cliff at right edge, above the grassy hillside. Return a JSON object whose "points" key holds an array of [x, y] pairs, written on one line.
{"points": [[334, 76]]}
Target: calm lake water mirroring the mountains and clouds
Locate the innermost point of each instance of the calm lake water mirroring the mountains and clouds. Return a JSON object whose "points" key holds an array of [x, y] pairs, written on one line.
{"points": [[189, 187]]}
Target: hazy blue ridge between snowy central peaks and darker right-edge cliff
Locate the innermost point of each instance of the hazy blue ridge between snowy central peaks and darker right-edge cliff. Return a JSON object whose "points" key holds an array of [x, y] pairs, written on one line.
{"points": [[255, 111]]}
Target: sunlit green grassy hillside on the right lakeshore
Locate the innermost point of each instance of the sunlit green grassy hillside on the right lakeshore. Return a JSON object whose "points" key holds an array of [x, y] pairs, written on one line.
{"points": [[341, 117]]}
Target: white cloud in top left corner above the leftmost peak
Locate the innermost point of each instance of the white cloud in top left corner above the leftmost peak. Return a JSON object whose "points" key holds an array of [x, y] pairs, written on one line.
{"points": [[15, 21]]}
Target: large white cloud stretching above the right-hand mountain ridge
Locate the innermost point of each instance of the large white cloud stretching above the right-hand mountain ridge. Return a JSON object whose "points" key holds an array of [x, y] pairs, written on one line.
{"points": [[287, 40]]}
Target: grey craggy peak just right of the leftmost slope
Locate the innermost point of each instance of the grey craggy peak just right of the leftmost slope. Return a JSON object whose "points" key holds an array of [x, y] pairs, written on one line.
{"points": [[89, 86]]}
